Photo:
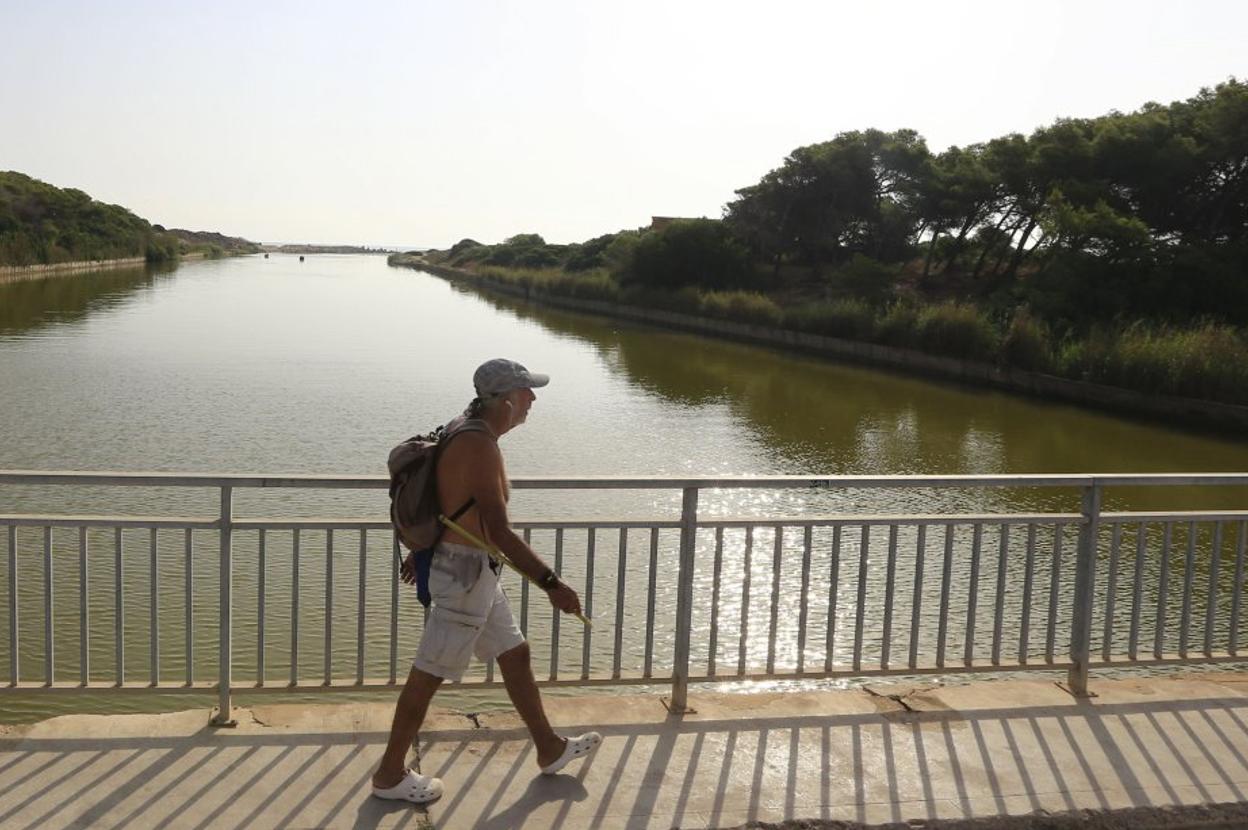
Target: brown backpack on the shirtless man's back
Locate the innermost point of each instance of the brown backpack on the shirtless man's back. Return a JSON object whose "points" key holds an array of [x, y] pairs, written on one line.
{"points": [[415, 487]]}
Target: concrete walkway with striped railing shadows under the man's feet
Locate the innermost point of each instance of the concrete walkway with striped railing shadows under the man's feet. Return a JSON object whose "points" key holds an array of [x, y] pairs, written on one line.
{"points": [[895, 754]]}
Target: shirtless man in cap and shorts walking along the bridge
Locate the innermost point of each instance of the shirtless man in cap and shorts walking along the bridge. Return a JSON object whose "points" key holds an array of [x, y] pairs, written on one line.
{"points": [[470, 613]]}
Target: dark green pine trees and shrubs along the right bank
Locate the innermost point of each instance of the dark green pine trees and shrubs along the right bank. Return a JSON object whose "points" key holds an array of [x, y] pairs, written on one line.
{"points": [[1141, 217]]}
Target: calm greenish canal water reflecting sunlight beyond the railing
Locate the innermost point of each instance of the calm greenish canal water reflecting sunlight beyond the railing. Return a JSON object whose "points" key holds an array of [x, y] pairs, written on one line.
{"points": [[321, 366]]}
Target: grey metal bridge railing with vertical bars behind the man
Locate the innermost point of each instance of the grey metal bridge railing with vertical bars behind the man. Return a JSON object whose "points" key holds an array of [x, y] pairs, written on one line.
{"points": [[849, 595]]}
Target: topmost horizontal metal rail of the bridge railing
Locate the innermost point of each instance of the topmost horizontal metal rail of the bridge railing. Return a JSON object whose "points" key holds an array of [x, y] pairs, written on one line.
{"points": [[625, 482]]}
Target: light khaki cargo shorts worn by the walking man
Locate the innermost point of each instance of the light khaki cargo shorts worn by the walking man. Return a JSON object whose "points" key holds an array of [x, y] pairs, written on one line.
{"points": [[470, 613]]}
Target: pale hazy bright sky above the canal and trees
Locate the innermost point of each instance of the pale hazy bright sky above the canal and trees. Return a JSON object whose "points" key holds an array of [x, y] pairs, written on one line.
{"points": [[422, 123]]}
